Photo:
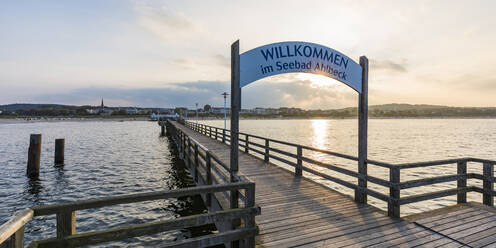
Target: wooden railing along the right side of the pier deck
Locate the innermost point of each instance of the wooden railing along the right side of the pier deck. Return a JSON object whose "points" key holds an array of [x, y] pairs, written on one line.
{"points": [[260, 145]]}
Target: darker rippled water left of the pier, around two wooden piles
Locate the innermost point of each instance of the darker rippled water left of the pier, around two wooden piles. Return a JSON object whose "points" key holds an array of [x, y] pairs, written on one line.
{"points": [[101, 159]]}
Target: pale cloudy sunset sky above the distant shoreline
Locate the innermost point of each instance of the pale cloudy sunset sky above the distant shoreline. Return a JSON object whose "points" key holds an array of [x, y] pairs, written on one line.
{"points": [[177, 53]]}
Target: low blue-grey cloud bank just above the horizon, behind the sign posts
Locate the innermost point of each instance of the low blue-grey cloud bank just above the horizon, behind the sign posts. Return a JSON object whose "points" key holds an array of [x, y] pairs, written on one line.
{"points": [[261, 94]]}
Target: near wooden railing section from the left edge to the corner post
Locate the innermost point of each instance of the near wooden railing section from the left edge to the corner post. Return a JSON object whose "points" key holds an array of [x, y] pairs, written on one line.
{"points": [[12, 232]]}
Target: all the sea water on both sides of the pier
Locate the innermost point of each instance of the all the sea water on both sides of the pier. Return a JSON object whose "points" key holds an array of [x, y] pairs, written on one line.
{"points": [[112, 158]]}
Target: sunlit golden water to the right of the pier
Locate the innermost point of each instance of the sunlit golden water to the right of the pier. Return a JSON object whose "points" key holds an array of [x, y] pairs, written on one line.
{"points": [[389, 140]]}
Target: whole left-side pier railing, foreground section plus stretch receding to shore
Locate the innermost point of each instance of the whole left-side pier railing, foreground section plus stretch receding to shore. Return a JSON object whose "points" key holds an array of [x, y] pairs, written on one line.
{"points": [[221, 191]]}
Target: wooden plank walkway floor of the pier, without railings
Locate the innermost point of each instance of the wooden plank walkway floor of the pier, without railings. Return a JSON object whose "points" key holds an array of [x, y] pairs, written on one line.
{"points": [[298, 212]]}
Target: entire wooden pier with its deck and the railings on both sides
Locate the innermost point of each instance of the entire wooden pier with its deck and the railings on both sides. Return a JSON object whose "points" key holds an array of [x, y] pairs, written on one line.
{"points": [[265, 205]]}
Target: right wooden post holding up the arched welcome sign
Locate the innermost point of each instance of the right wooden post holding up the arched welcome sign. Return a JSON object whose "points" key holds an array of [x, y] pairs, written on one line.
{"points": [[361, 196]]}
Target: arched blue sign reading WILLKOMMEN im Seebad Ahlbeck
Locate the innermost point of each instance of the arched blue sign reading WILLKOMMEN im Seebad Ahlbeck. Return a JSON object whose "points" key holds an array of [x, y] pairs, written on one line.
{"points": [[286, 57]]}
